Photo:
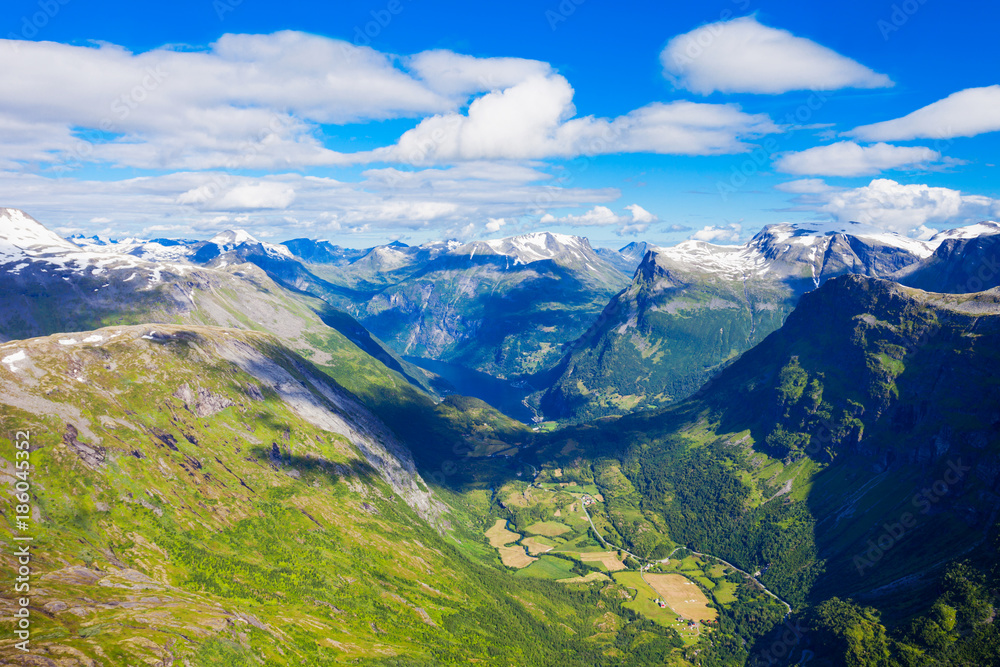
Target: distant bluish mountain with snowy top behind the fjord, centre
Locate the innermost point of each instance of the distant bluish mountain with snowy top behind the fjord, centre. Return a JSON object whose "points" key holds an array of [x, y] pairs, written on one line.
{"points": [[500, 307]]}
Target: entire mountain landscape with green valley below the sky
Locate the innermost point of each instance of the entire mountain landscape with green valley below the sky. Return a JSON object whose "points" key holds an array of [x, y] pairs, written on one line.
{"points": [[234, 463]]}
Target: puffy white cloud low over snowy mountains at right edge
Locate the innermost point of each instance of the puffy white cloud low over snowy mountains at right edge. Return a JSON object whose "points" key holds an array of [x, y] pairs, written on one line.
{"points": [[904, 209]]}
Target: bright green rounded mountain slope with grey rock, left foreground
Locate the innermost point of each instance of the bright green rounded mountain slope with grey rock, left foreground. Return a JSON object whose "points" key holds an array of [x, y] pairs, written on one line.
{"points": [[205, 496]]}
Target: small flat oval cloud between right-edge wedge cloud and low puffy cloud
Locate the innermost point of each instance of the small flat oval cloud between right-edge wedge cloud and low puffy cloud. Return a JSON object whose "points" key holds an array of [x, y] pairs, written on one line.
{"points": [[847, 158]]}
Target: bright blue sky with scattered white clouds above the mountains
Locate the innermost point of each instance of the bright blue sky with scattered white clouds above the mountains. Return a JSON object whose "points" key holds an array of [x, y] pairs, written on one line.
{"points": [[363, 122]]}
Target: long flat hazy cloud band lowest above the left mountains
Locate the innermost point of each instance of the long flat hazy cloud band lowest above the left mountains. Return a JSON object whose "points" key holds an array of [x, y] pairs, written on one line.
{"points": [[431, 202]]}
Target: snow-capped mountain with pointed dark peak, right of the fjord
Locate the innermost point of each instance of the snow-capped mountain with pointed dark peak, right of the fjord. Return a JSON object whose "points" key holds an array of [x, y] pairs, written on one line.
{"points": [[695, 306]]}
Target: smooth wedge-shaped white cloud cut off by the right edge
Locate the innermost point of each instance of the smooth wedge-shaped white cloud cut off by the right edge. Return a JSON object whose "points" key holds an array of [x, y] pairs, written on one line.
{"points": [[963, 114]]}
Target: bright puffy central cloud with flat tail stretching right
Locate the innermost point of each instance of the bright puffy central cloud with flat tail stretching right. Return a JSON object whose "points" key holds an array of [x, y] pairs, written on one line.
{"points": [[534, 120]]}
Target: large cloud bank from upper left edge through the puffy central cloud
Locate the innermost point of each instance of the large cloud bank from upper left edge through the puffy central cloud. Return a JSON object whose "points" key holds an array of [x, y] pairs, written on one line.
{"points": [[259, 101]]}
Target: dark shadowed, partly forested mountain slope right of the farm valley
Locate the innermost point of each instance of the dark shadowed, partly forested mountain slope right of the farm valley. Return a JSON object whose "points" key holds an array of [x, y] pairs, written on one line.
{"points": [[854, 453]]}
